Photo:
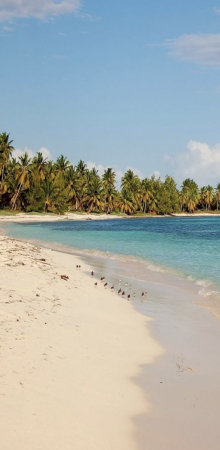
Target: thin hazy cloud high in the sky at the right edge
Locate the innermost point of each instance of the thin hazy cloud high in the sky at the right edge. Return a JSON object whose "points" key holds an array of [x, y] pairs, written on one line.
{"points": [[203, 49]]}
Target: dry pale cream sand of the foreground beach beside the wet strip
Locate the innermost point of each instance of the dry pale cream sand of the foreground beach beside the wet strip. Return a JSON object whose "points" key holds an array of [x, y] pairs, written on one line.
{"points": [[70, 353]]}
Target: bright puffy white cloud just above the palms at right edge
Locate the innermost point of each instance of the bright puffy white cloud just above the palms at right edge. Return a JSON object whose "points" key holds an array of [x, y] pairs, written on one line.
{"points": [[199, 161]]}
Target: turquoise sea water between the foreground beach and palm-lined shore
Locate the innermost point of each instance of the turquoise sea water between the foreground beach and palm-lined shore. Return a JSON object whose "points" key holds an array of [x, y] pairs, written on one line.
{"points": [[188, 246]]}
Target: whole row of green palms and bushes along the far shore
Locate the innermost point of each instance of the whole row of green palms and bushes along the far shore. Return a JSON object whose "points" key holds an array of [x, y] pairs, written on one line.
{"points": [[41, 185]]}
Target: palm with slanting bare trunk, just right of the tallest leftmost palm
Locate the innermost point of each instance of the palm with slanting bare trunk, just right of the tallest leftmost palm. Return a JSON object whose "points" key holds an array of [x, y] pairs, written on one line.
{"points": [[22, 175]]}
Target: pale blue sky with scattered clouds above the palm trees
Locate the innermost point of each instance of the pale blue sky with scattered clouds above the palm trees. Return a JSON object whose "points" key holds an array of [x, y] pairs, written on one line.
{"points": [[116, 83]]}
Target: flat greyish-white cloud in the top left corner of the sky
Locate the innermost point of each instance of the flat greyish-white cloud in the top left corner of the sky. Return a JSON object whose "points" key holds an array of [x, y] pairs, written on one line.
{"points": [[40, 9]]}
